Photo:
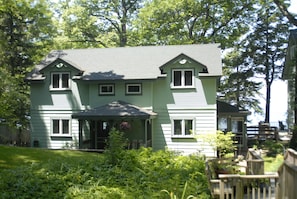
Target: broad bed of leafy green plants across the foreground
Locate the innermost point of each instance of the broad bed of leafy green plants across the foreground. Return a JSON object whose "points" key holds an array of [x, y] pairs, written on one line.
{"points": [[140, 173]]}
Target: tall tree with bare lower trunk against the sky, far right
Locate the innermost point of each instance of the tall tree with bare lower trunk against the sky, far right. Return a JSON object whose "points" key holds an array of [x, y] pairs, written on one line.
{"points": [[264, 46]]}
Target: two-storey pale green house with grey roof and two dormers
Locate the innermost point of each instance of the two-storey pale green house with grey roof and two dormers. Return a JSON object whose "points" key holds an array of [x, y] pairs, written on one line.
{"points": [[159, 96]]}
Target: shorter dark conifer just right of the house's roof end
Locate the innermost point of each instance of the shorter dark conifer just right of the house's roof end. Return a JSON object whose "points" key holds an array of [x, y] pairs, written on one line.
{"points": [[238, 86]]}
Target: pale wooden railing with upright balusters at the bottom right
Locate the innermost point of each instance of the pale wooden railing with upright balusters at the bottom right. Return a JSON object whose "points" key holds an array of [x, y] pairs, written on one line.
{"points": [[248, 186]]}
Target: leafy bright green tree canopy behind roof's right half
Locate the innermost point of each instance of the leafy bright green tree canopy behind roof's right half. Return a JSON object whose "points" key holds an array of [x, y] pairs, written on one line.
{"points": [[190, 21]]}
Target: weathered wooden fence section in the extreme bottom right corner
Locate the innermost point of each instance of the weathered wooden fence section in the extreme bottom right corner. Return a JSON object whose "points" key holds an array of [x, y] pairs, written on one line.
{"points": [[288, 176]]}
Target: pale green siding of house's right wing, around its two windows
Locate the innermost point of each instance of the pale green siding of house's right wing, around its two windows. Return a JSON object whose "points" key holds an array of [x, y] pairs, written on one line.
{"points": [[197, 103]]}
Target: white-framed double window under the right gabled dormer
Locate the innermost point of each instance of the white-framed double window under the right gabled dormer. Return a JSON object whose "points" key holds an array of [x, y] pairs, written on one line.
{"points": [[182, 78]]}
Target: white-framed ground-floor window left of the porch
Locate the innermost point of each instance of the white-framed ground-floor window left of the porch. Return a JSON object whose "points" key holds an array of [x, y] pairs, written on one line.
{"points": [[60, 127]]}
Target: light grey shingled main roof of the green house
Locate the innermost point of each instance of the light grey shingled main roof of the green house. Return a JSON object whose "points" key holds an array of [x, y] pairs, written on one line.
{"points": [[141, 62]]}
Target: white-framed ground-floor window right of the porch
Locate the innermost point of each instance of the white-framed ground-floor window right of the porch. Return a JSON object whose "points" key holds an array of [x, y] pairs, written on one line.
{"points": [[182, 127]]}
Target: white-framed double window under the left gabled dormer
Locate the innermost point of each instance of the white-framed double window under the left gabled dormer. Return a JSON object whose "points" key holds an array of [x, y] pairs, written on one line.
{"points": [[60, 81]]}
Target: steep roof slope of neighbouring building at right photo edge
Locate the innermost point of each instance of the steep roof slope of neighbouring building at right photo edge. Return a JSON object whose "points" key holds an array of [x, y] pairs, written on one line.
{"points": [[291, 55]]}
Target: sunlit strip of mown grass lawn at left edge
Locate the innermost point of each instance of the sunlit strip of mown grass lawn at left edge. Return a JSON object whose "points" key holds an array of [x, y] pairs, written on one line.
{"points": [[12, 157]]}
